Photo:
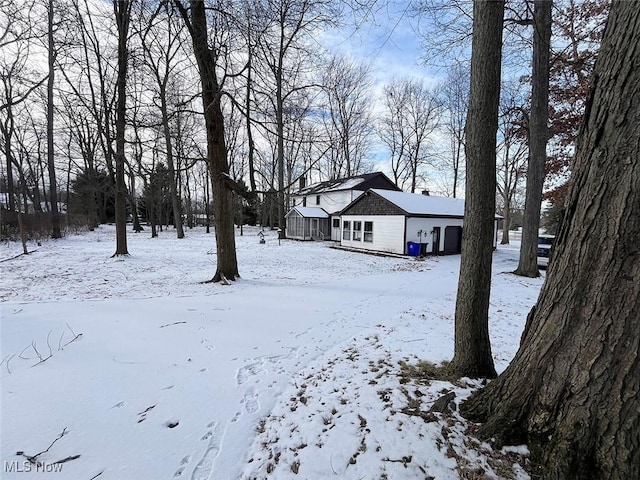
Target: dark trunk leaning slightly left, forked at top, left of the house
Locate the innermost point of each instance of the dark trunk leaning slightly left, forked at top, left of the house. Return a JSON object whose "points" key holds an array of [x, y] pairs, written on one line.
{"points": [[227, 268]]}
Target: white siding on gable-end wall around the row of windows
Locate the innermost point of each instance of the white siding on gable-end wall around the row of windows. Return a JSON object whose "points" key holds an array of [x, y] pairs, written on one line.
{"points": [[388, 233]]}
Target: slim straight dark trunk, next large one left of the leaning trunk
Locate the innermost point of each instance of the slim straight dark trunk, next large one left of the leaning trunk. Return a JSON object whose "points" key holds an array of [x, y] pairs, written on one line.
{"points": [[122, 10]]}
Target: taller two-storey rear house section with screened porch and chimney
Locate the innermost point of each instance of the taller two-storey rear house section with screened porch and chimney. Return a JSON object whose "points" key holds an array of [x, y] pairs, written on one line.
{"points": [[316, 208]]}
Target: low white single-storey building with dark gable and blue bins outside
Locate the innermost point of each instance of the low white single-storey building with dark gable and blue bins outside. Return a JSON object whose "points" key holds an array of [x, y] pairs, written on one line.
{"points": [[386, 221]]}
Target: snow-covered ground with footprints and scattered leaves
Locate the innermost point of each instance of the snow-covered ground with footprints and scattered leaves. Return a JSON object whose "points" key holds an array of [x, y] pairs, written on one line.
{"points": [[132, 368]]}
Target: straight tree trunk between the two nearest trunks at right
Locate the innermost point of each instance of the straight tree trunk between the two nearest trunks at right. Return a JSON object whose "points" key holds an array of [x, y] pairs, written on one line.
{"points": [[538, 136]]}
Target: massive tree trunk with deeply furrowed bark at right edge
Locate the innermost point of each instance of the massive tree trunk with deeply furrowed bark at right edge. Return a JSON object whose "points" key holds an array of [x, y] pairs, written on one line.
{"points": [[571, 391]]}
